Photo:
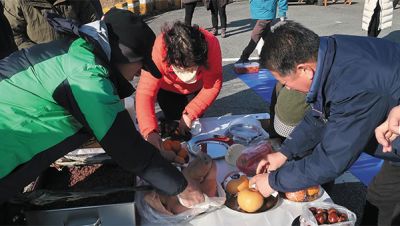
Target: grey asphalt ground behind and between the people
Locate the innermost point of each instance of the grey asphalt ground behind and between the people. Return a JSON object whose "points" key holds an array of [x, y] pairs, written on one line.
{"points": [[237, 98]]}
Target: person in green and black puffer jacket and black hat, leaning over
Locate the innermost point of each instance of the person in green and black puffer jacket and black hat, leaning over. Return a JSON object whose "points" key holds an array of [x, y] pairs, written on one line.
{"points": [[57, 95]]}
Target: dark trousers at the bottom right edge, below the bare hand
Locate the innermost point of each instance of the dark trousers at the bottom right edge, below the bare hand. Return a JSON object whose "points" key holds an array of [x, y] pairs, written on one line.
{"points": [[384, 193]]}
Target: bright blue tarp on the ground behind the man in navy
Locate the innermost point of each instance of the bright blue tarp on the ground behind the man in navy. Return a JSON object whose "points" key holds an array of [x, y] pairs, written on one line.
{"points": [[365, 168]]}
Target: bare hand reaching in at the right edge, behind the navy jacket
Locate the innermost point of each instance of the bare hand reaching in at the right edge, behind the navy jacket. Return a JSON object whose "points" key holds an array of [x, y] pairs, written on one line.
{"points": [[389, 130]]}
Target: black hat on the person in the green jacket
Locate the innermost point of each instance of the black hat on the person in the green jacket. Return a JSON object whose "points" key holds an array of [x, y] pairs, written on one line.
{"points": [[135, 39]]}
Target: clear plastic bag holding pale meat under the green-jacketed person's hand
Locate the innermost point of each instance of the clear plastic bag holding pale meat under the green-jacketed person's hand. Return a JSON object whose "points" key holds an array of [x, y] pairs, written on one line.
{"points": [[153, 216]]}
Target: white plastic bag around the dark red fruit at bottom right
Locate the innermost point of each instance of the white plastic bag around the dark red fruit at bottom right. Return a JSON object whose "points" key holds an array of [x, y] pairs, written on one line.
{"points": [[307, 217]]}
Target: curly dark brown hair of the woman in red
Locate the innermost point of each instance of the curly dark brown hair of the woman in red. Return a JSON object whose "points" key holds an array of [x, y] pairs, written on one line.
{"points": [[186, 45]]}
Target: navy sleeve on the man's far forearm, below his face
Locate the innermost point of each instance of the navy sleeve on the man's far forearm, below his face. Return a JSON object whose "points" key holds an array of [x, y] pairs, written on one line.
{"points": [[304, 137]]}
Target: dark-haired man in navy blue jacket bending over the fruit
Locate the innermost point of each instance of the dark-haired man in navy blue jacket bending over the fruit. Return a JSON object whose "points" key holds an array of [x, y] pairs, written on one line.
{"points": [[351, 84]]}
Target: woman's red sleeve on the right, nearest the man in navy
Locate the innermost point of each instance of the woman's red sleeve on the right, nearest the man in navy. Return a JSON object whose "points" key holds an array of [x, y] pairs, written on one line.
{"points": [[212, 82]]}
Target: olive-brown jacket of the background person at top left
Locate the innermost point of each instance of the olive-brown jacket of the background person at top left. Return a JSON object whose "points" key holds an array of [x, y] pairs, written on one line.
{"points": [[29, 24]]}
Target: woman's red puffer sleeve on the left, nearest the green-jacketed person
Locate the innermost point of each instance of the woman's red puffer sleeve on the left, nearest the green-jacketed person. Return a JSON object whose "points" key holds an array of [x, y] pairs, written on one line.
{"points": [[146, 94]]}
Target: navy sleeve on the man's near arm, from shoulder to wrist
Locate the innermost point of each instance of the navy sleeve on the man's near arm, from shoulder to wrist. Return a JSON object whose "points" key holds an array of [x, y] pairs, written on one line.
{"points": [[349, 128]]}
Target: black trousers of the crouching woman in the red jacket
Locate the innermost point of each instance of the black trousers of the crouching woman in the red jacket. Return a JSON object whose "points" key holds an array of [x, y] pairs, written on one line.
{"points": [[172, 104]]}
